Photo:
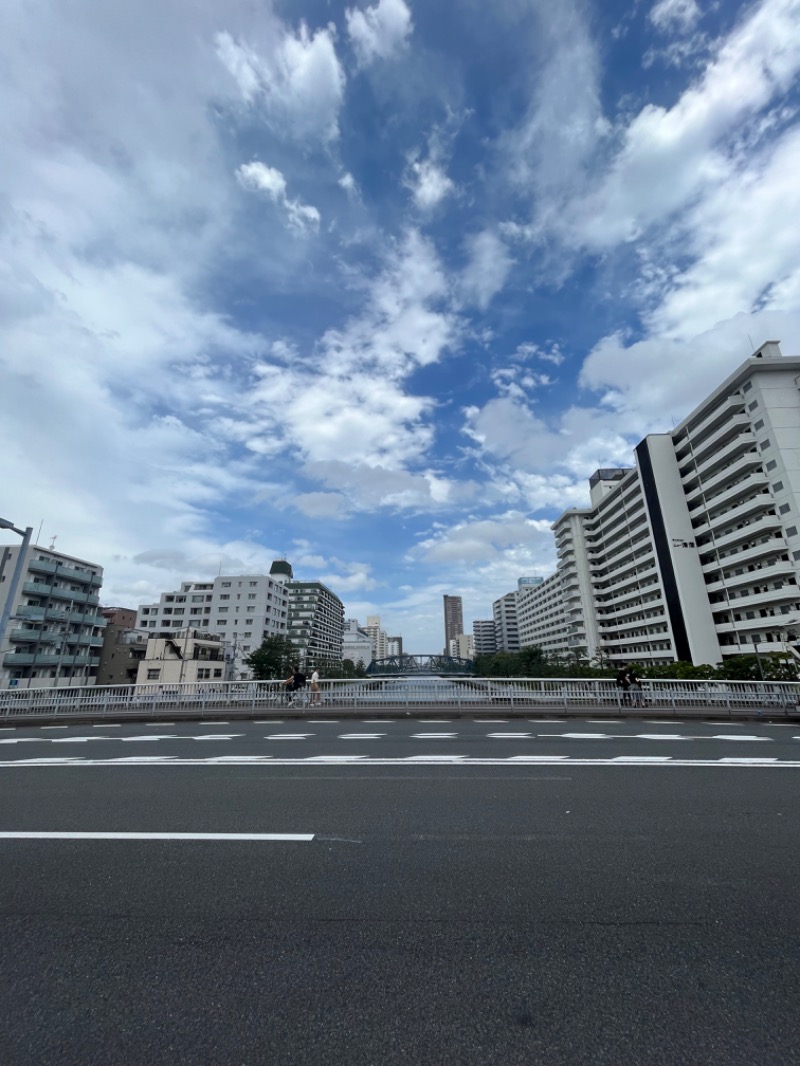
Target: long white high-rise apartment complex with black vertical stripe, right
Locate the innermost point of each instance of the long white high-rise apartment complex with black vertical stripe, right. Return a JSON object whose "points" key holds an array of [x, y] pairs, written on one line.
{"points": [[695, 553]]}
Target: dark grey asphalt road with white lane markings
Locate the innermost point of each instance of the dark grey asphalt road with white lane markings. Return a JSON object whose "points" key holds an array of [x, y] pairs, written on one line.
{"points": [[493, 911]]}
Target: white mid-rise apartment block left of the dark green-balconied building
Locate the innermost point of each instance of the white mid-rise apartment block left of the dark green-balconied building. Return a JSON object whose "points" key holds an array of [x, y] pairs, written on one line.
{"points": [[243, 609]]}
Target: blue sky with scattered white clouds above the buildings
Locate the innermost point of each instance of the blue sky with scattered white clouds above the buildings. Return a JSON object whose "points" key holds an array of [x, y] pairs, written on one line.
{"points": [[375, 287]]}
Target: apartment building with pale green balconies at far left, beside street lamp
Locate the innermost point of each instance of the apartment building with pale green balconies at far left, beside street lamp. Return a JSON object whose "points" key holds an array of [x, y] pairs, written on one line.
{"points": [[55, 632]]}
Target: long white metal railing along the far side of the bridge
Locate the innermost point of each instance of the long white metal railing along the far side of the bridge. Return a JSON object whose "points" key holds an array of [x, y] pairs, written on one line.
{"points": [[499, 696]]}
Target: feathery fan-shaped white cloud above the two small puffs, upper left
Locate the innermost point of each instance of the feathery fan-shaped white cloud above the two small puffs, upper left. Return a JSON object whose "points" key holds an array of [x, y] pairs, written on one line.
{"points": [[297, 82]]}
